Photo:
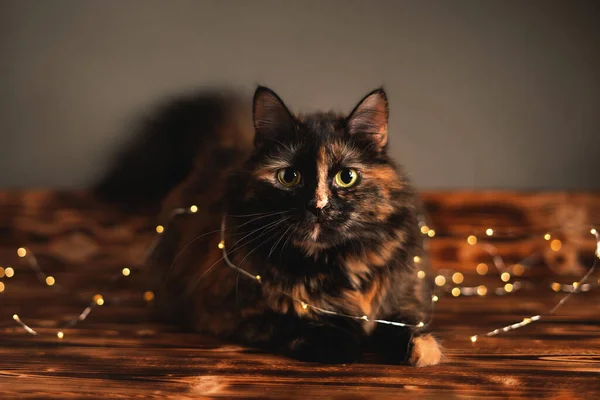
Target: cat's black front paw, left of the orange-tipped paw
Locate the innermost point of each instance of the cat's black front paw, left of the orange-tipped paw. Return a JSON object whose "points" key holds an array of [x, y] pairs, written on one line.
{"points": [[328, 346]]}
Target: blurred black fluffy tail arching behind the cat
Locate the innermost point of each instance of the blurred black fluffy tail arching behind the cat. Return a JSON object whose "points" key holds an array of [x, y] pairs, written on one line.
{"points": [[178, 135]]}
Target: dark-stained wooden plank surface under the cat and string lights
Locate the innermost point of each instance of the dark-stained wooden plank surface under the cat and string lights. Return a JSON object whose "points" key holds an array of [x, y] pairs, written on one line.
{"points": [[119, 352]]}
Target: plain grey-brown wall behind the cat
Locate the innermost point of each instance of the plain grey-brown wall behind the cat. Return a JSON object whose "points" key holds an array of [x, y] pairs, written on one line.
{"points": [[484, 94]]}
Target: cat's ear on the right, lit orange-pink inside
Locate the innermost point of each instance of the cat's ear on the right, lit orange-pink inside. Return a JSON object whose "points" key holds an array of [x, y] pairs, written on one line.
{"points": [[370, 118]]}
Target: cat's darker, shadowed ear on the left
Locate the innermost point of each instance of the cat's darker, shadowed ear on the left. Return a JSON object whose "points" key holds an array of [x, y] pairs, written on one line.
{"points": [[271, 116]]}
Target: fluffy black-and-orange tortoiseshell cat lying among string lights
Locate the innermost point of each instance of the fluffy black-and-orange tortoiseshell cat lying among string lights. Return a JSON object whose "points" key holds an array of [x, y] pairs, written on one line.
{"points": [[315, 207]]}
